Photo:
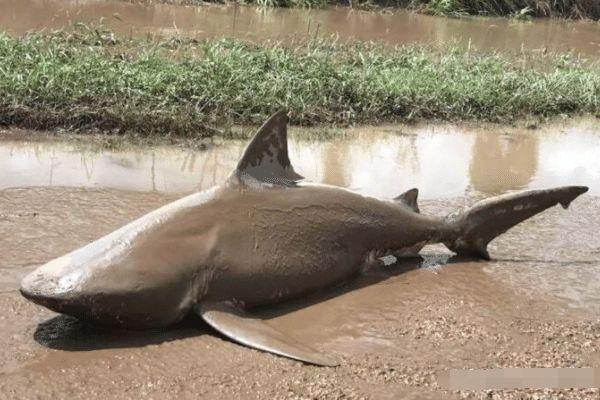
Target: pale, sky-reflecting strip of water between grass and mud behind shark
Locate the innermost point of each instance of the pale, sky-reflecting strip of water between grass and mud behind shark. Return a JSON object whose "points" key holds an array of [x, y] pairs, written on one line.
{"points": [[443, 161]]}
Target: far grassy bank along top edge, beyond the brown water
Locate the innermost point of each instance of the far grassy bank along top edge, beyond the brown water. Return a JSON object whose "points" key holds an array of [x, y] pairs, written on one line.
{"points": [[511, 8]]}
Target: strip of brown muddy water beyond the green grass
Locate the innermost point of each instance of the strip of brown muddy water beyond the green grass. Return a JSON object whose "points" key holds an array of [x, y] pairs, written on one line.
{"points": [[209, 21]]}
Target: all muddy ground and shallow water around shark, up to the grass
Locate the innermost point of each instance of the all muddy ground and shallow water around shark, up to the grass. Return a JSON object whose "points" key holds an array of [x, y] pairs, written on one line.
{"points": [[395, 331]]}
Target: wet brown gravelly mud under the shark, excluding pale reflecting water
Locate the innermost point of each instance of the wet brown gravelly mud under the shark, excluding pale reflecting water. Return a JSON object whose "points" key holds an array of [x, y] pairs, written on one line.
{"points": [[394, 331]]}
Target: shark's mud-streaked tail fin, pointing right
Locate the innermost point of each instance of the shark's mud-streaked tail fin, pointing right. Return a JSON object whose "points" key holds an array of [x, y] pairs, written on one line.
{"points": [[472, 229]]}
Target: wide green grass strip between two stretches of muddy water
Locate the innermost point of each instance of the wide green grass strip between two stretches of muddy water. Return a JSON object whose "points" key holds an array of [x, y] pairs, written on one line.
{"points": [[91, 79]]}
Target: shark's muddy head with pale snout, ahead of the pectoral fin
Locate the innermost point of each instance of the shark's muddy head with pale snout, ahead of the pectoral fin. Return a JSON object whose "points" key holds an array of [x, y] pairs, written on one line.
{"points": [[143, 275]]}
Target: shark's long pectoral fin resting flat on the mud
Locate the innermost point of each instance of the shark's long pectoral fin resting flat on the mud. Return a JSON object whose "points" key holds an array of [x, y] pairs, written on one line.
{"points": [[243, 328]]}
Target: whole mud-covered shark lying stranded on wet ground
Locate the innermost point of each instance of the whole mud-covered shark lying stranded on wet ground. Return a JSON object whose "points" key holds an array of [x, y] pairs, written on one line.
{"points": [[257, 240]]}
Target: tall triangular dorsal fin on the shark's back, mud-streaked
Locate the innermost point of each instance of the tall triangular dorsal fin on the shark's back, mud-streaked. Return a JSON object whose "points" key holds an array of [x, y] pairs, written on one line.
{"points": [[266, 160]]}
